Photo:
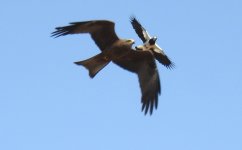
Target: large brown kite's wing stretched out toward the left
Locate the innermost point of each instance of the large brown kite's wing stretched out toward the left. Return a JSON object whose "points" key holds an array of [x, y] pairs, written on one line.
{"points": [[102, 31]]}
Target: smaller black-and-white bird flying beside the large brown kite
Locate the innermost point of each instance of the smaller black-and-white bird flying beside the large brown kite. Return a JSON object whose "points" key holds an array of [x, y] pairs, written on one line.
{"points": [[149, 43]]}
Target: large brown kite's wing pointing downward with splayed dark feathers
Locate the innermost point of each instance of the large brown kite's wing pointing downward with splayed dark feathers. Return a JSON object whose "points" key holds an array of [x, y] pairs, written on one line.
{"points": [[143, 63]]}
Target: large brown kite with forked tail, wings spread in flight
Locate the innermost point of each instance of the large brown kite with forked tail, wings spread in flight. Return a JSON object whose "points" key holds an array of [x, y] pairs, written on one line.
{"points": [[120, 52]]}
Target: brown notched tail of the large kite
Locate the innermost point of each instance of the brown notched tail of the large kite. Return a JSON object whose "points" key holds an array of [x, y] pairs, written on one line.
{"points": [[94, 64]]}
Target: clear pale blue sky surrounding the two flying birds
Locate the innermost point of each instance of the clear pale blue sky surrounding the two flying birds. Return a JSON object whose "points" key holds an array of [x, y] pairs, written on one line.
{"points": [[48, 103]]}
